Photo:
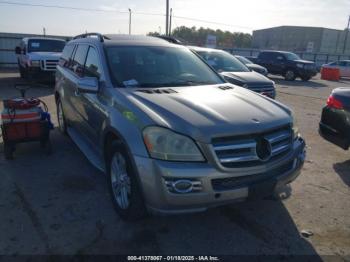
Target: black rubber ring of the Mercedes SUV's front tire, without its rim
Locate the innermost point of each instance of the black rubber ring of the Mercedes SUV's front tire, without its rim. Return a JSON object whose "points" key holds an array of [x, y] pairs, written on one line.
{"points": [[136, 209]]}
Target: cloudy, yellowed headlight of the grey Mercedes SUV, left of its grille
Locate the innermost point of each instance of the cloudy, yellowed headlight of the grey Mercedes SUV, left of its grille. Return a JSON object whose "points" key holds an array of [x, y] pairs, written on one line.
{"points": [[165, 144]]}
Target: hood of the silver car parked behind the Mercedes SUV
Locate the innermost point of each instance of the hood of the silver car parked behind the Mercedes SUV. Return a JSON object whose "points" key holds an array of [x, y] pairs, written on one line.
{"points": [[246, 78]]}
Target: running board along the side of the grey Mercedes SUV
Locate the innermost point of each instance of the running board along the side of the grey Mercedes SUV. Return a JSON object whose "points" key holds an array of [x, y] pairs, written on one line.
{"points": [[86, 149]]}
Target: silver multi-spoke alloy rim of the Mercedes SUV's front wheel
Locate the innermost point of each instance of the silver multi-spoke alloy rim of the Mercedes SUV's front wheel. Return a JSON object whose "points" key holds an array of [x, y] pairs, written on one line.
{"points": [[120, 181]]}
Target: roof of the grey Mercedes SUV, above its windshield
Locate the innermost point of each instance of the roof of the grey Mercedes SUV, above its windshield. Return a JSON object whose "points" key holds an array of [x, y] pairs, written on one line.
{"points": [[130, 40]]}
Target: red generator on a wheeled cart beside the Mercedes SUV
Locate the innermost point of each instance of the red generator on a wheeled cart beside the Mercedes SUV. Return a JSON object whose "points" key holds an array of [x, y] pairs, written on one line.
{"points": [[25, 120]]}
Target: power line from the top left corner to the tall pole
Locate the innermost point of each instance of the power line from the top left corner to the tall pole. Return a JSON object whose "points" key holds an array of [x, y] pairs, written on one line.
{"points": [[77, 8]]}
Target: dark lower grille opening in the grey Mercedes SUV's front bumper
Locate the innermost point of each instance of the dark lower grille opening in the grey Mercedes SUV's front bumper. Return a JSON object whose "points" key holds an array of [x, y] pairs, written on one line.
{"points": [[230, 183]]}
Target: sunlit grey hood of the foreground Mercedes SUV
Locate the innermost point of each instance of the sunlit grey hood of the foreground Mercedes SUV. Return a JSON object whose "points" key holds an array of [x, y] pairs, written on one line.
{"points": [[204, 112]]}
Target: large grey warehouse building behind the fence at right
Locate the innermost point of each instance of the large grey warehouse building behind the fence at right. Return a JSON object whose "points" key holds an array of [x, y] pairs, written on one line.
{"points": [[302, 39]]}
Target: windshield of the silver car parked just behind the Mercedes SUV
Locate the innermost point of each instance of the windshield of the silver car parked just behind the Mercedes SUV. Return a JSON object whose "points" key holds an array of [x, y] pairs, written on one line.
{"points": [[223, 62]]}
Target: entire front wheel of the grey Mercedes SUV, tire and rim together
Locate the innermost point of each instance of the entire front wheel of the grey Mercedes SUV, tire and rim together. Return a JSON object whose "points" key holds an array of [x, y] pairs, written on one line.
{"points": [[123, 183]]}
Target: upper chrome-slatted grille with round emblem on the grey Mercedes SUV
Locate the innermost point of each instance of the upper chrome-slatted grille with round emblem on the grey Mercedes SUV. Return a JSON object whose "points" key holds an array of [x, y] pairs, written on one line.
{"points": [[248, 150]]}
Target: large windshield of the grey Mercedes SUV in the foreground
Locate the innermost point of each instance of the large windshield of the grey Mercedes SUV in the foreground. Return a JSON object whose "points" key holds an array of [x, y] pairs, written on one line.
{"points": [[145, 66]]}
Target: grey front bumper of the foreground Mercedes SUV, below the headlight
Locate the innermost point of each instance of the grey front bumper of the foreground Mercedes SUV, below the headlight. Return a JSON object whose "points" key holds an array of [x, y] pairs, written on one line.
{"points": [[155, 174]]}
